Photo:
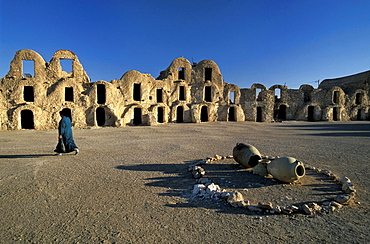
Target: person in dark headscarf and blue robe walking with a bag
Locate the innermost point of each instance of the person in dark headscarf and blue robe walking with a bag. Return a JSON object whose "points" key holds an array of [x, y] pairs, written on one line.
{"points": [[65, 135]]}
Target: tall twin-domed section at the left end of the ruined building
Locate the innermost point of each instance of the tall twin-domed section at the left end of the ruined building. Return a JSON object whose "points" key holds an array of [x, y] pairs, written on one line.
{"points": [[38, 97]]}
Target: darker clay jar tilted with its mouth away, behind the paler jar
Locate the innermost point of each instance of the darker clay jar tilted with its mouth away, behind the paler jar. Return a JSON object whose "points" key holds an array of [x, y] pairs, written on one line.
{"points": [[246, 155]]}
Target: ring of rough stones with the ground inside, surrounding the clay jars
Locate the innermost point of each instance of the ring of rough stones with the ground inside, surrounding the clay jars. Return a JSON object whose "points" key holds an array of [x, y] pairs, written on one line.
{"points": [[320, 191]]}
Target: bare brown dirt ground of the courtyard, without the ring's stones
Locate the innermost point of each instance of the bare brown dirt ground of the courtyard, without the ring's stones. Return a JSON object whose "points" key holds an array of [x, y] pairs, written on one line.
{"points": [[131, 184]]}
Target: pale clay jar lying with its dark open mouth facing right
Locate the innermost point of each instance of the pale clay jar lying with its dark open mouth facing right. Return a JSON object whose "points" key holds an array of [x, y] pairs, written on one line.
{"points": [[286, 169]]}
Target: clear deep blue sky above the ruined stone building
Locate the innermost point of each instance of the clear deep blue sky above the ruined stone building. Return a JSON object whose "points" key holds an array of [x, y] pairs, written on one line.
{"points": [[290, 42]]}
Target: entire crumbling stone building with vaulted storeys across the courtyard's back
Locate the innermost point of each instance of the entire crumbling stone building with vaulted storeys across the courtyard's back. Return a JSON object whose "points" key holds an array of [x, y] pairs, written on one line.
{"points": [[184, 92]]}
